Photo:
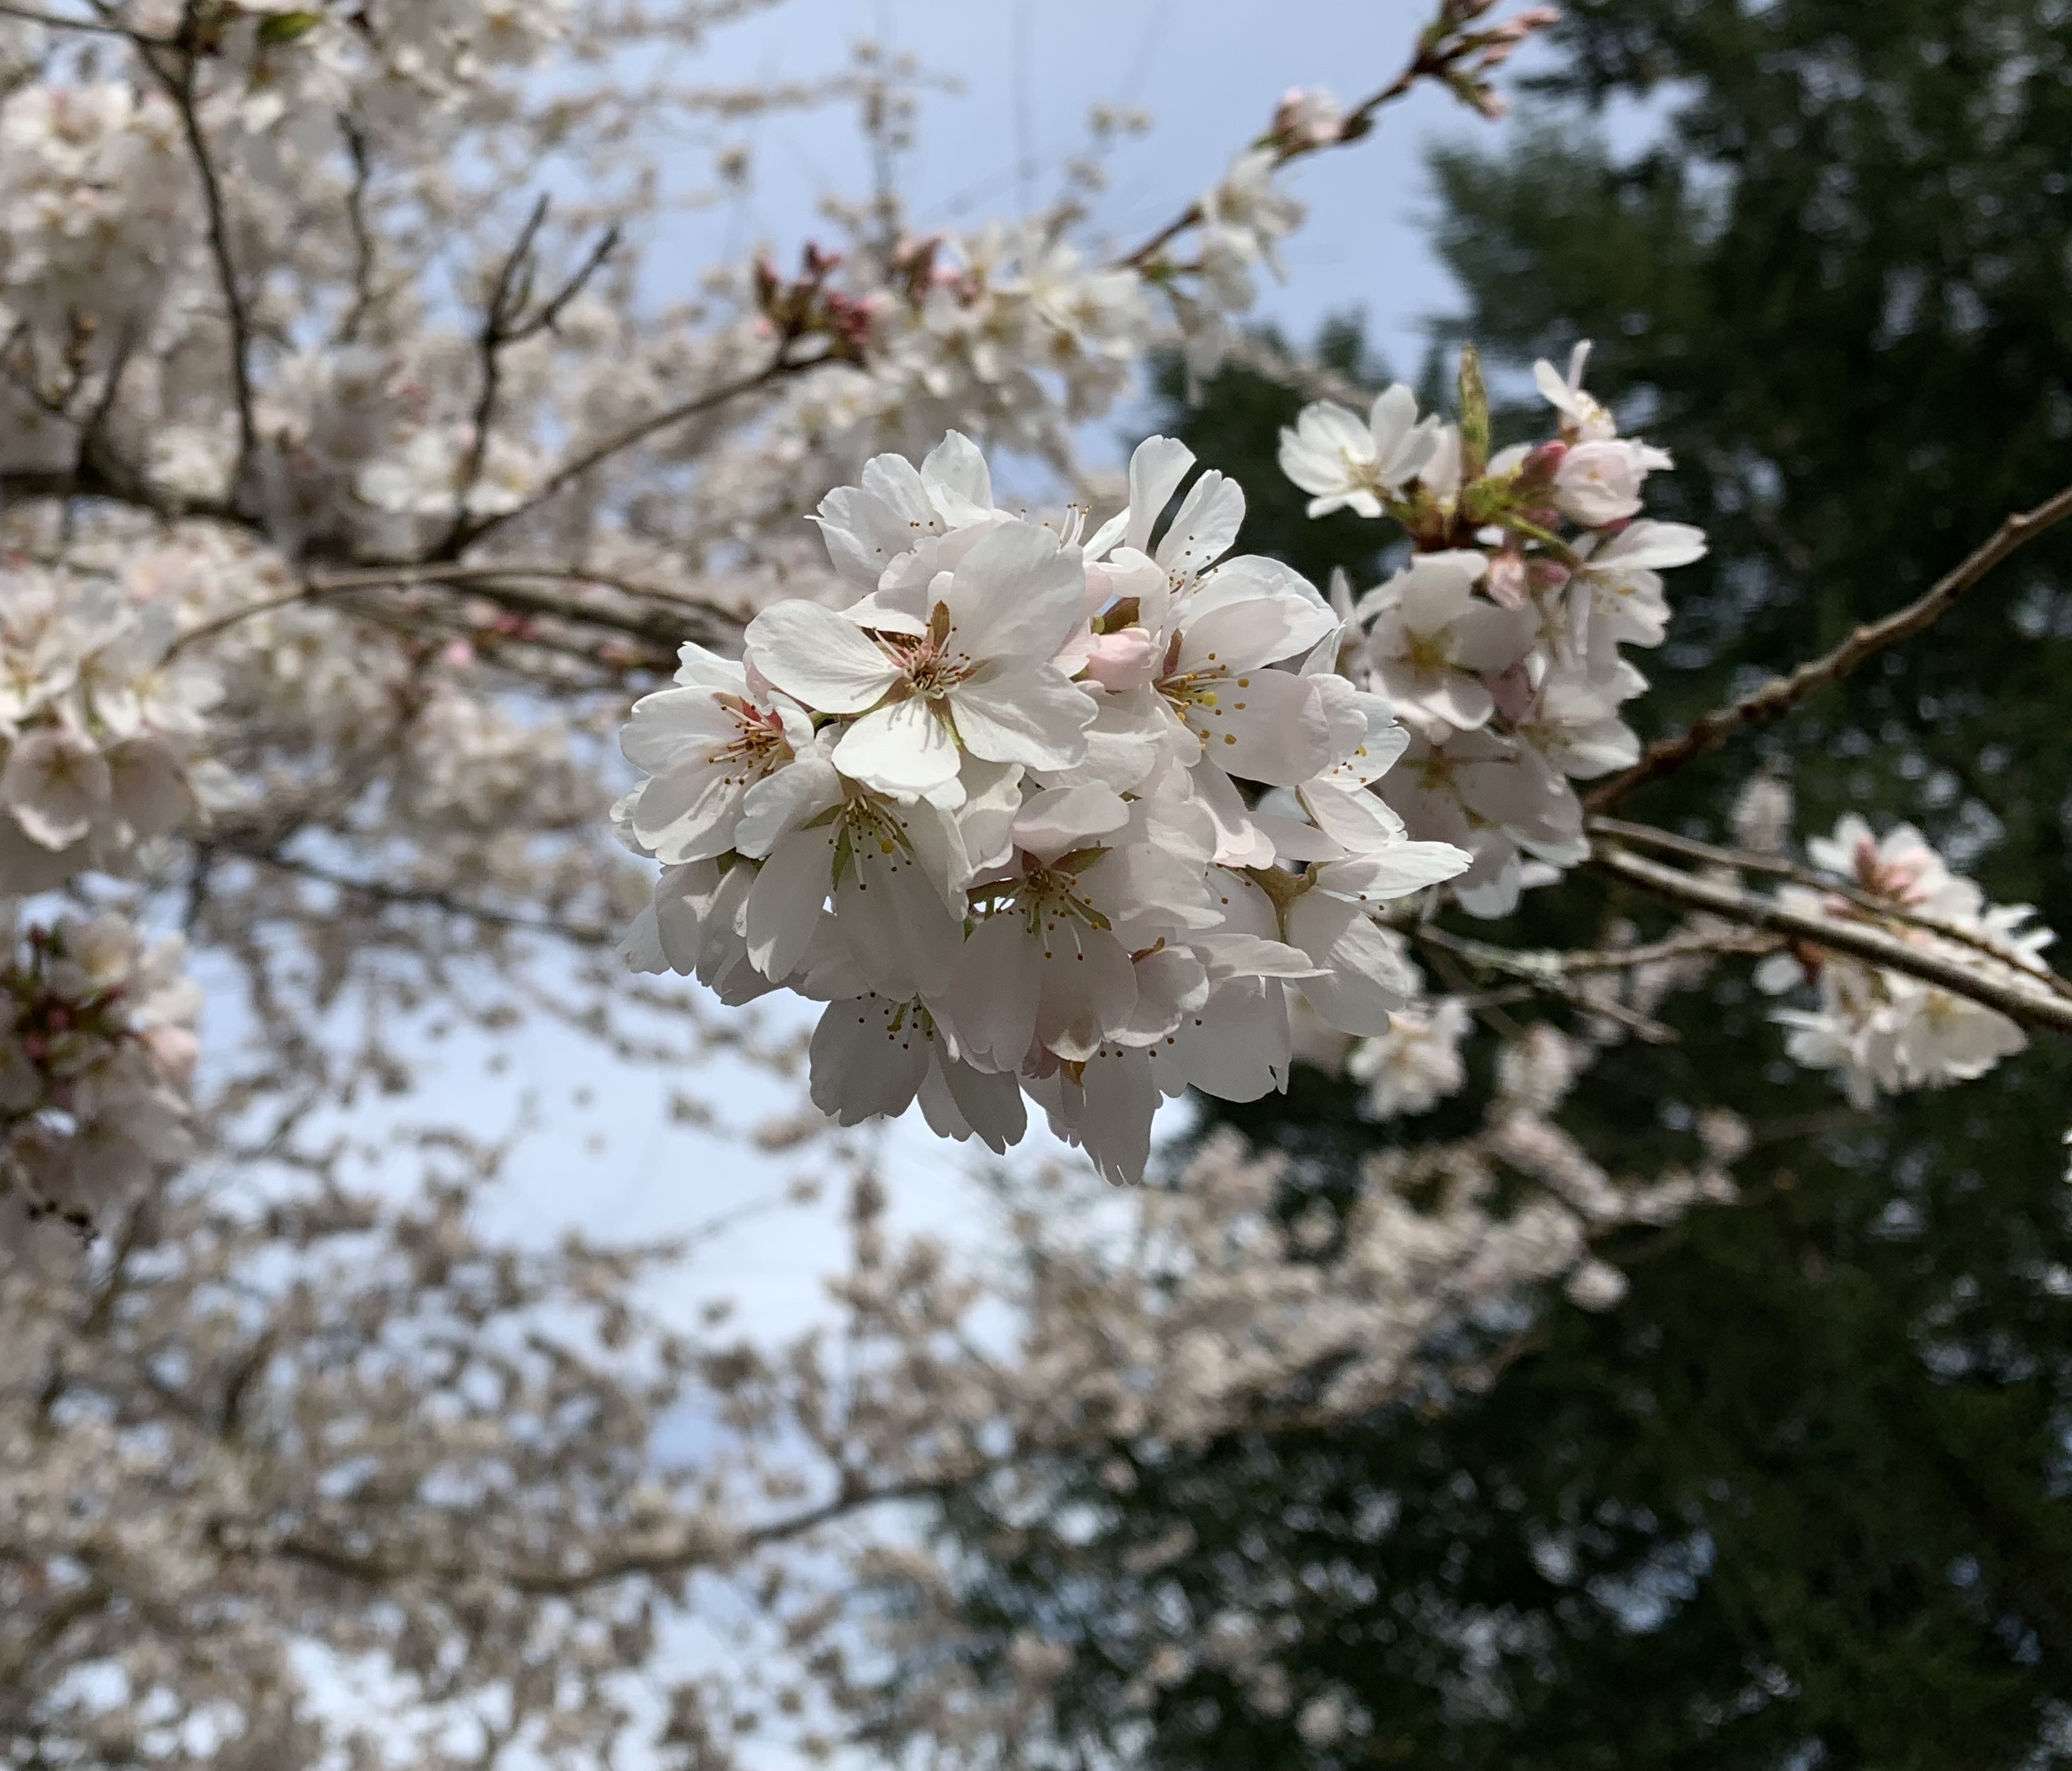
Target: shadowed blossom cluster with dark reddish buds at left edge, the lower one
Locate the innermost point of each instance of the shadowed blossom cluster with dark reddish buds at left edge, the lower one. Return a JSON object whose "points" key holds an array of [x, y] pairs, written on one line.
{"points": [[96, 1053]]}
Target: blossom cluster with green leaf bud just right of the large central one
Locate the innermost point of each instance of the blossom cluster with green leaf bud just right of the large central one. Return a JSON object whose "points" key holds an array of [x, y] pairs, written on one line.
{"points": [[1499, 643]]}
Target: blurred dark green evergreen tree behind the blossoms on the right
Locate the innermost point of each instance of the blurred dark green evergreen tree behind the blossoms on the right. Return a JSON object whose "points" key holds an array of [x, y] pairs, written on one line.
{"points": [[1804, 1497]]}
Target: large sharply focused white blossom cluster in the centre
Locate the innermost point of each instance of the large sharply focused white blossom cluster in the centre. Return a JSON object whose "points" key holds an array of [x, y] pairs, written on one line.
{"points": [[1041, 811]]}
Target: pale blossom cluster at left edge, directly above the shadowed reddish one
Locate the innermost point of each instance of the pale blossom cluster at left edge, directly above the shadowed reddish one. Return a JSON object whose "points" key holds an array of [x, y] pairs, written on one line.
{"points": [[96, 728]]}
